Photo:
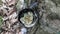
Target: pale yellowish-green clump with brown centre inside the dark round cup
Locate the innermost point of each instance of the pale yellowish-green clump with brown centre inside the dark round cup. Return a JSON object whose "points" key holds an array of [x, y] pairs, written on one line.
{"points": [[27, 19]]}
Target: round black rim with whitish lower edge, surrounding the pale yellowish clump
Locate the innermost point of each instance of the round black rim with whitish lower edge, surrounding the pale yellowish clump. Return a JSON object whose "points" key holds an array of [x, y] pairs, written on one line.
{"points": [[35, 16]]}
